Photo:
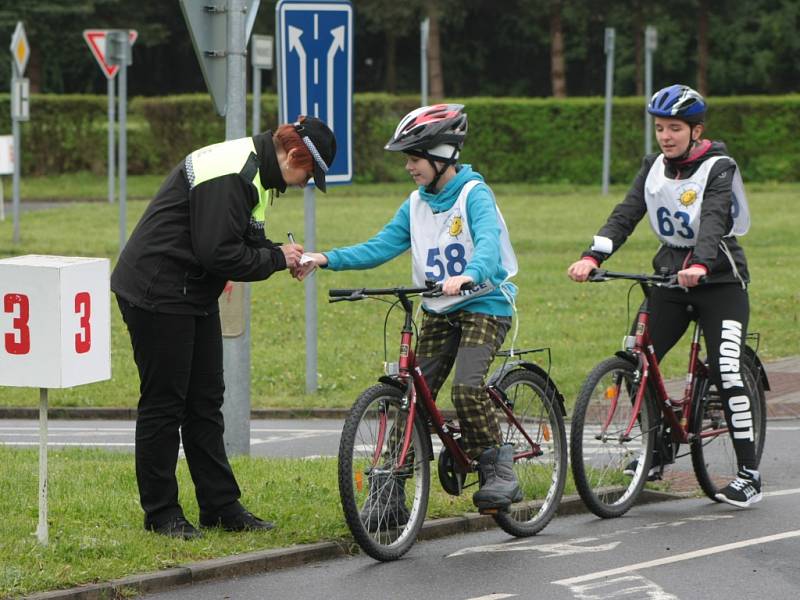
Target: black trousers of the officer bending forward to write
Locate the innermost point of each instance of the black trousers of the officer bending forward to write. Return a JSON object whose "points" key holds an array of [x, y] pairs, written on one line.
{"points": [[179, 358]]}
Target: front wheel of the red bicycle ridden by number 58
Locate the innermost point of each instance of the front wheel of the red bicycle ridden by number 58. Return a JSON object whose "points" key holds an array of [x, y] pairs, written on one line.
{"points": [[384, 502]]}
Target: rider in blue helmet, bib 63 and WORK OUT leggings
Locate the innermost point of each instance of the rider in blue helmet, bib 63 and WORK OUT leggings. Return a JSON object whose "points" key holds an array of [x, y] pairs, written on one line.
{"points": [[693, 194]]}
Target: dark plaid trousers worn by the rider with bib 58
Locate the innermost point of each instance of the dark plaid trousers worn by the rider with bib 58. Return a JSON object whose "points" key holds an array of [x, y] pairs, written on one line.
{"points": [[469, 341]]}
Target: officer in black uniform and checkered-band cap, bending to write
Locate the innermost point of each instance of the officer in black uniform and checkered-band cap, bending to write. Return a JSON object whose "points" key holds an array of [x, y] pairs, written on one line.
{"points": [[204, 227]]}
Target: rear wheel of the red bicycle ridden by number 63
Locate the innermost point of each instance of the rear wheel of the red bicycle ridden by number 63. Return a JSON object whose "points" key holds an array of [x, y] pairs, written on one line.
{"points": [[714, 458]]}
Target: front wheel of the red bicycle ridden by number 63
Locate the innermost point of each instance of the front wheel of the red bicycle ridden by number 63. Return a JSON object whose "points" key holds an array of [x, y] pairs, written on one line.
{"points": [[611, 446]]}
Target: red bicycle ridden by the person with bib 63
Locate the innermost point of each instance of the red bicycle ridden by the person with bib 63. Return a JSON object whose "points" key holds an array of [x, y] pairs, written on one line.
{"points": [[623, 412]]}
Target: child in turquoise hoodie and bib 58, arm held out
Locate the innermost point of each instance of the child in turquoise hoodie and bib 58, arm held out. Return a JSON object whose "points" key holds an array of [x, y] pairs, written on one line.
{"points": [[457, 236]]}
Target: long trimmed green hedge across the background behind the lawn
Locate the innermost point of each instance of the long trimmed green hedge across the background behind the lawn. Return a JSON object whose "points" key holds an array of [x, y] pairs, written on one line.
{"points": [[510, 139]]}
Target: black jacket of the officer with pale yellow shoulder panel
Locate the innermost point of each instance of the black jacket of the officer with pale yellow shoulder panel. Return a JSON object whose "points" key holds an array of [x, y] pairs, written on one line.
{"points": [[189, 243]]}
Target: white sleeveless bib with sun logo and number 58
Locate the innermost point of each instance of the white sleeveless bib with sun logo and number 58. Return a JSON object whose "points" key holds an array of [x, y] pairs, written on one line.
{"points": [[442, 246]]}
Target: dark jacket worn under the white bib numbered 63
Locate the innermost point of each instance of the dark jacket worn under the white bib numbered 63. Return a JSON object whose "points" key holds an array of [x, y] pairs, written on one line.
{"points": [[715, 221]]}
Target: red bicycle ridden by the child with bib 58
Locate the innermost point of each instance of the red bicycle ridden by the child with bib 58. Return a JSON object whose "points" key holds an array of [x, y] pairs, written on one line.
{"points": [[385, 452]]}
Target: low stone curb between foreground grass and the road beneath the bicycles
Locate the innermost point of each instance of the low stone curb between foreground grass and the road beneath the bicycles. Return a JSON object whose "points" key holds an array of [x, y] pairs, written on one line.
{"points": [[264, 561]]}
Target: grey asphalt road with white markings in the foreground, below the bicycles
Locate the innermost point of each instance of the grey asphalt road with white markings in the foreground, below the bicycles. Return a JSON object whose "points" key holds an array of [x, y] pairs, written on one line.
{"points": [[685, 549]]}
